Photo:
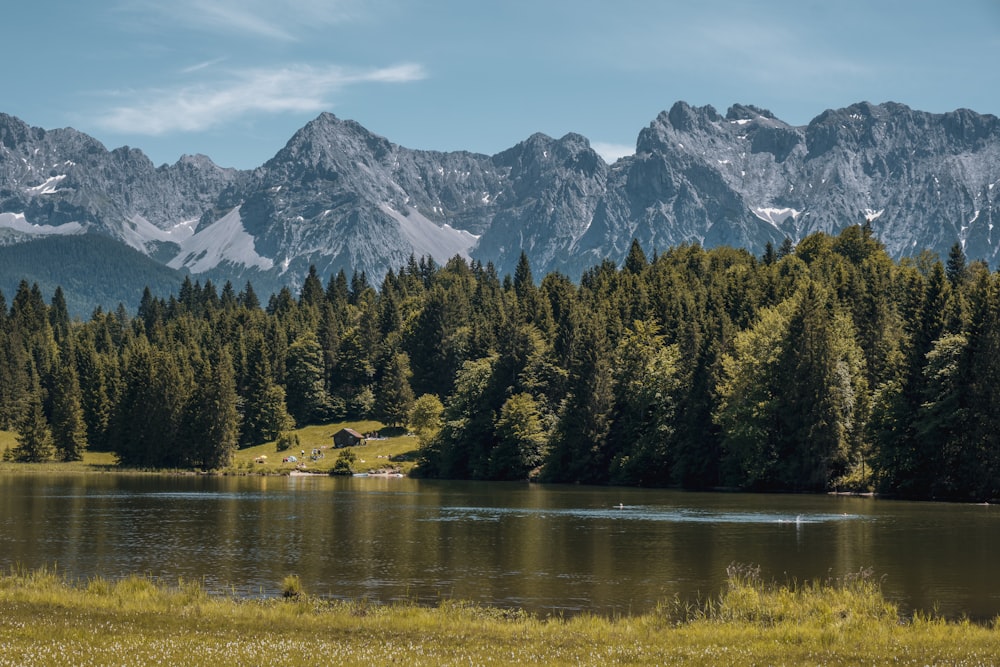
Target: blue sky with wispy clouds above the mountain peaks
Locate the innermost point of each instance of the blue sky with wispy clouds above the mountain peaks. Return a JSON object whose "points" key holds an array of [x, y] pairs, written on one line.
{"points": [[234, 79]]}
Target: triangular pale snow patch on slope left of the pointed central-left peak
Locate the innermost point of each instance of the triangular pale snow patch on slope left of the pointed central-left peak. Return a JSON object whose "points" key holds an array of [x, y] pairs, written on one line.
{"points": [[225, 240]]}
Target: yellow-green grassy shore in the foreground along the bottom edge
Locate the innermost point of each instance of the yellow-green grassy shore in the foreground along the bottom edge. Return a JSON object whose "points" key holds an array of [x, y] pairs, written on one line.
{"points": [[48, 621]]}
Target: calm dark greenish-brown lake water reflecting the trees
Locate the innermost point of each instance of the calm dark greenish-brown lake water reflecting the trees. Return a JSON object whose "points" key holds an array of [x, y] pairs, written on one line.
{"points": [[548, 549]]}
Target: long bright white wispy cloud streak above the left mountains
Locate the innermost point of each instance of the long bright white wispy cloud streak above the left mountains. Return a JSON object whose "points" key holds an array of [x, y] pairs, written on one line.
{"points": [[192, 108]]}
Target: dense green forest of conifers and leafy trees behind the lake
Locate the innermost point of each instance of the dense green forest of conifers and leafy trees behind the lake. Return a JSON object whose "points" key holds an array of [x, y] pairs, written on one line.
{"points": [[822, 366]]}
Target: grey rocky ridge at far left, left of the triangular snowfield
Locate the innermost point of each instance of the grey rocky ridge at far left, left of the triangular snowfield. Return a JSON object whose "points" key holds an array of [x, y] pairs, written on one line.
{"points": [[64, 177]]}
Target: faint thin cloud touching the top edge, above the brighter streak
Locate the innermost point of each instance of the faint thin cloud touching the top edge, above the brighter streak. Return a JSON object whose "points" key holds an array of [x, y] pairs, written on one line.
{"points": [[279, 21]]}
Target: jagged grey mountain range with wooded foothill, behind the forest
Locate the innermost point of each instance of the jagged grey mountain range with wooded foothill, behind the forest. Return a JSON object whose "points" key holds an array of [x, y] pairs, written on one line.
{"points": [[340, 197]]}
